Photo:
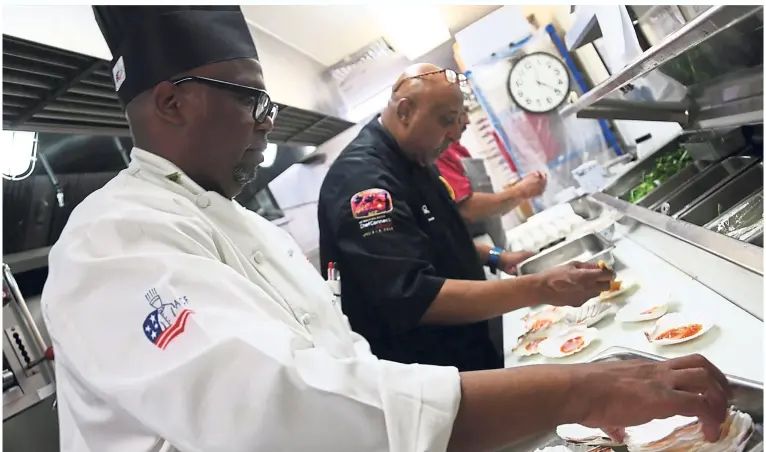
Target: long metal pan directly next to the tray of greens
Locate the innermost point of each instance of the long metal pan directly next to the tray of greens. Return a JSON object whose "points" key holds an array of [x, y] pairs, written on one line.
{"points": [[703, 185]]}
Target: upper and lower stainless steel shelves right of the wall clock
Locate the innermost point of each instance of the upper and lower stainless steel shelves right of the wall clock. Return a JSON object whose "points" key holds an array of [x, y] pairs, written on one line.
{"points": [[731, 100]]}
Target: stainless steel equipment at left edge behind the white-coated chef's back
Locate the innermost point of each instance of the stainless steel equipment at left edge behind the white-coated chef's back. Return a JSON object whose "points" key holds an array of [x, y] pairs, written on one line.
{"points": [[24, 384]]}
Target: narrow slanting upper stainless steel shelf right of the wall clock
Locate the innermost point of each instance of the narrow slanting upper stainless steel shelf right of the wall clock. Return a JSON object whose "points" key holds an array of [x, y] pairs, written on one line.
{"points": [[700, 29]]}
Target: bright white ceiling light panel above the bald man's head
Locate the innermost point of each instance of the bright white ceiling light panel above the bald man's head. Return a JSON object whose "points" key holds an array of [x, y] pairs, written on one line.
{"points": [[413, 30]]}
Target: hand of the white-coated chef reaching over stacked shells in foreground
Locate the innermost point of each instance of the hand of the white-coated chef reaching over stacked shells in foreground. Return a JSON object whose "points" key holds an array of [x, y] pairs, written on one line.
{"points": [[628, 393]]}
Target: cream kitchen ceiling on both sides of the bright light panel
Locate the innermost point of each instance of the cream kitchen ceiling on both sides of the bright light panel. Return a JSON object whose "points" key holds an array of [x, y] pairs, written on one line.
{"points": [[328, 33]]}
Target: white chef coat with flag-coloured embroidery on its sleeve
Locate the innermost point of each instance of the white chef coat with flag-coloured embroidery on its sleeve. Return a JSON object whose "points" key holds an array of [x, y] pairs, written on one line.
{"points": [[262, 361]]}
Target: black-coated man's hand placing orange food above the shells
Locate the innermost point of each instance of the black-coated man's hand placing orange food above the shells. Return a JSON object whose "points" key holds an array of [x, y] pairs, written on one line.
{"points": [[574, 283]]}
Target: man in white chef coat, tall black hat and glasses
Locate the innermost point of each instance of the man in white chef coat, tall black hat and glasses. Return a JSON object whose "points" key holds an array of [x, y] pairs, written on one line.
{"points": [[182, 321]]}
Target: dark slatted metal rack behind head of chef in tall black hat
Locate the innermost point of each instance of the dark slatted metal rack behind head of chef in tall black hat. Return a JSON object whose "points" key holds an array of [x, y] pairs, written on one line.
{"points": [[46, 89]]}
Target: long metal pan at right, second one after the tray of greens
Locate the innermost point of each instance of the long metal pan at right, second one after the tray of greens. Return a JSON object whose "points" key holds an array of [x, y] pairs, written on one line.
{"points": [[748, 182]]}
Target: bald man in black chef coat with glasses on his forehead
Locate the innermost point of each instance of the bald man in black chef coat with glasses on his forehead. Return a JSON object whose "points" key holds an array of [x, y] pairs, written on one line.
{"points": [[412, 279]]}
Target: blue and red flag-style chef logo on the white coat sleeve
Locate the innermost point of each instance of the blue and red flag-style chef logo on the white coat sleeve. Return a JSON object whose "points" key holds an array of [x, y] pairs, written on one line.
{"points": [[167, 321]]}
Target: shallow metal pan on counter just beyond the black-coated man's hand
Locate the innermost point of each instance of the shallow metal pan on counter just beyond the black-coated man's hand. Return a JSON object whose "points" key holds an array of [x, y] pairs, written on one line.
{"points": [[588, 248]]}
